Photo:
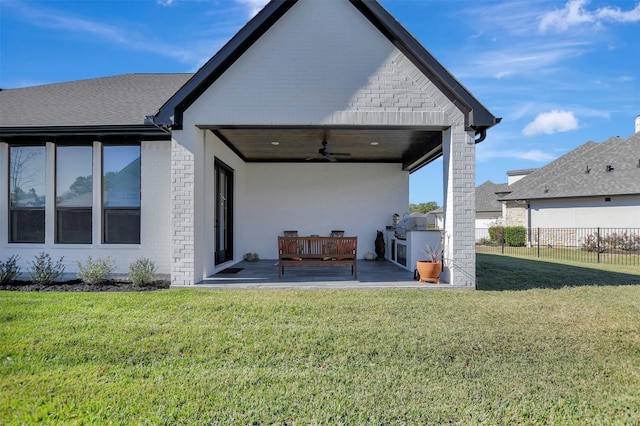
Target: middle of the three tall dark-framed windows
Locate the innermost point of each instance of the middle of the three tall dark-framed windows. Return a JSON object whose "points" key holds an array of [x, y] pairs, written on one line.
{"points": [[74, 194]]}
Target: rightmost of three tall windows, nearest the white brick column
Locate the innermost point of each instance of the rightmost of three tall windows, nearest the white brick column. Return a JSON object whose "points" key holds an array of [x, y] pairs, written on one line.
{"points": [[121, 194]]}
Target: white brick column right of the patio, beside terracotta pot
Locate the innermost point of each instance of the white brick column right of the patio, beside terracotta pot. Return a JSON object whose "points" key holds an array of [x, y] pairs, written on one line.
{"points": [[459, 206]]}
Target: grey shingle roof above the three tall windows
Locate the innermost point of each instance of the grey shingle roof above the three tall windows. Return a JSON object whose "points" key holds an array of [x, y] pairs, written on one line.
{"points": [[117, 100]]}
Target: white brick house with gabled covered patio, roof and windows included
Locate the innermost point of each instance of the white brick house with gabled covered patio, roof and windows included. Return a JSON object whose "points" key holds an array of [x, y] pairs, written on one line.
{"points": [[231, 156]]}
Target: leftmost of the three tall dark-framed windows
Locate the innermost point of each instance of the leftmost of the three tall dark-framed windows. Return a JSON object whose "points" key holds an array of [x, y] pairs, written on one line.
{"points": [[26, 194]]}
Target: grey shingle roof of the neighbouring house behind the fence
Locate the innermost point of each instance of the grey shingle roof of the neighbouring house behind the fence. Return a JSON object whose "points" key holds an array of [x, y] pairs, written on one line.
{"points": [[583, 172]]}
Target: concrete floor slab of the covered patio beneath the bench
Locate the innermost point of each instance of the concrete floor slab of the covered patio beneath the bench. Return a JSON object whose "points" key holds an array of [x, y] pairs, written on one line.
{"points": [[263, 274]]}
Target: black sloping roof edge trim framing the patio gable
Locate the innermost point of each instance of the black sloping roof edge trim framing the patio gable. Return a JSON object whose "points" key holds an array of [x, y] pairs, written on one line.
{"points": [[477, 117]]}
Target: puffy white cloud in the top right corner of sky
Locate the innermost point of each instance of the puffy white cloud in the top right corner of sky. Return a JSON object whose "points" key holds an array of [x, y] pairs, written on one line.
{"points": [[575, 13]]}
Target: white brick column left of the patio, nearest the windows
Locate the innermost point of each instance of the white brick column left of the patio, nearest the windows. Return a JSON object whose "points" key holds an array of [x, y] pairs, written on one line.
{"points": [[182, 214]]}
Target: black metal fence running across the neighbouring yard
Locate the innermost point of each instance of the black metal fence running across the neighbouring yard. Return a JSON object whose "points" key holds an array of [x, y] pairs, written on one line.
{"points": [[620, 246]]}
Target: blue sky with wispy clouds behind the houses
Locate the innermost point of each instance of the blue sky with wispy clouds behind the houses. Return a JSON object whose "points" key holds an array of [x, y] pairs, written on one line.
{"points": [[559, 73]]}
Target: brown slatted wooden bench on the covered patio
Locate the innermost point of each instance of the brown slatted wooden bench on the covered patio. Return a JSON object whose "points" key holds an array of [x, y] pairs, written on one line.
{"points": [[317, 251]]}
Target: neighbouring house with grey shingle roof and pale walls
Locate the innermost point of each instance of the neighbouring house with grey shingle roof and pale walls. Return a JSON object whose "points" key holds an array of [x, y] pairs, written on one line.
{"points": [[595, 185]]}
